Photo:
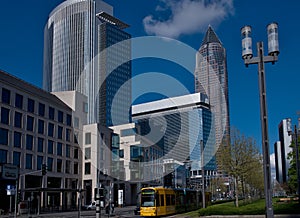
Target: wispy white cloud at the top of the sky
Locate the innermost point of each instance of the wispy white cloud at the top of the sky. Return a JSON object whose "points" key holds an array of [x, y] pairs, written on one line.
{"points": [[186, 16]]}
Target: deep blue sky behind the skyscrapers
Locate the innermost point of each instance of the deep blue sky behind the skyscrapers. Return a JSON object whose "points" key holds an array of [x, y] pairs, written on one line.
{"points": [[21, 47]]}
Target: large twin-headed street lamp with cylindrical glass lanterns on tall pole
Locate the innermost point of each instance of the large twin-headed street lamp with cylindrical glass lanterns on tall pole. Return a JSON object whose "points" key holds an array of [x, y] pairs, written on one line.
{"points": [[247, 55]]}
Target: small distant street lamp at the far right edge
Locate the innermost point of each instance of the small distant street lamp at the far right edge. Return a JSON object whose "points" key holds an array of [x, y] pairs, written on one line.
{"points": [[295, 139]]}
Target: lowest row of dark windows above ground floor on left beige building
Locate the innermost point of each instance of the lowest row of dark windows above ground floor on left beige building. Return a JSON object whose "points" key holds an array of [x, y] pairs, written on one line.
{"points": [[61, 166]]}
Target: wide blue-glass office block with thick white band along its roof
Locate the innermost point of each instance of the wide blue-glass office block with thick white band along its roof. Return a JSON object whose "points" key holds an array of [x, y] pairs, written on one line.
{"points": [[178, 125]]}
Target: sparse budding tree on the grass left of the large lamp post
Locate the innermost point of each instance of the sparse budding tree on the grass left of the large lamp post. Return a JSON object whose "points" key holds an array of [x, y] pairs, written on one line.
{"points": [[242, 160]]}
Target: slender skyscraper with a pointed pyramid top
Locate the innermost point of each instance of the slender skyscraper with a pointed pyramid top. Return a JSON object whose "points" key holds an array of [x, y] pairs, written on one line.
{"points": [[211, 78]]}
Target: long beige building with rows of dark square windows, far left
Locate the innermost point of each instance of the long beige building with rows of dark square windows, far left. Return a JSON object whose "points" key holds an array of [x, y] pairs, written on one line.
{"points": [[36, 128]]}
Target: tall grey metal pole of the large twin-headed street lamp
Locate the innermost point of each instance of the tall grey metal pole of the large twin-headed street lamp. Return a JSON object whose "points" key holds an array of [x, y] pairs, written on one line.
{"points": [[264, 128]]}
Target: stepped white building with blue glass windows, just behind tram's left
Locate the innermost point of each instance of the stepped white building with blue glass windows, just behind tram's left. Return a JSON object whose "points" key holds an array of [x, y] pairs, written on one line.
{"points": [[138, 164]]}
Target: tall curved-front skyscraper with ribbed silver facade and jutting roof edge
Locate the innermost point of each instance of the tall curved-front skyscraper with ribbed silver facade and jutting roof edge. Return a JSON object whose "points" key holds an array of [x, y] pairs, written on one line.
{"points": [[76, 57]]}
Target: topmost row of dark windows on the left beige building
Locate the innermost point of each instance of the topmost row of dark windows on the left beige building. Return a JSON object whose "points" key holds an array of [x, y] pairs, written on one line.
{"points": [[6, 98]]}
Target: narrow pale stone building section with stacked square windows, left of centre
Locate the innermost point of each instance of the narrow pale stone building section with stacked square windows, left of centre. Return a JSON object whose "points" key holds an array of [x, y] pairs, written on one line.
{"points": [[97, 159]]}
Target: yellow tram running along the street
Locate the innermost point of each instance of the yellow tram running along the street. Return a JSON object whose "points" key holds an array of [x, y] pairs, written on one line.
{"points": [[161, 201]]}
